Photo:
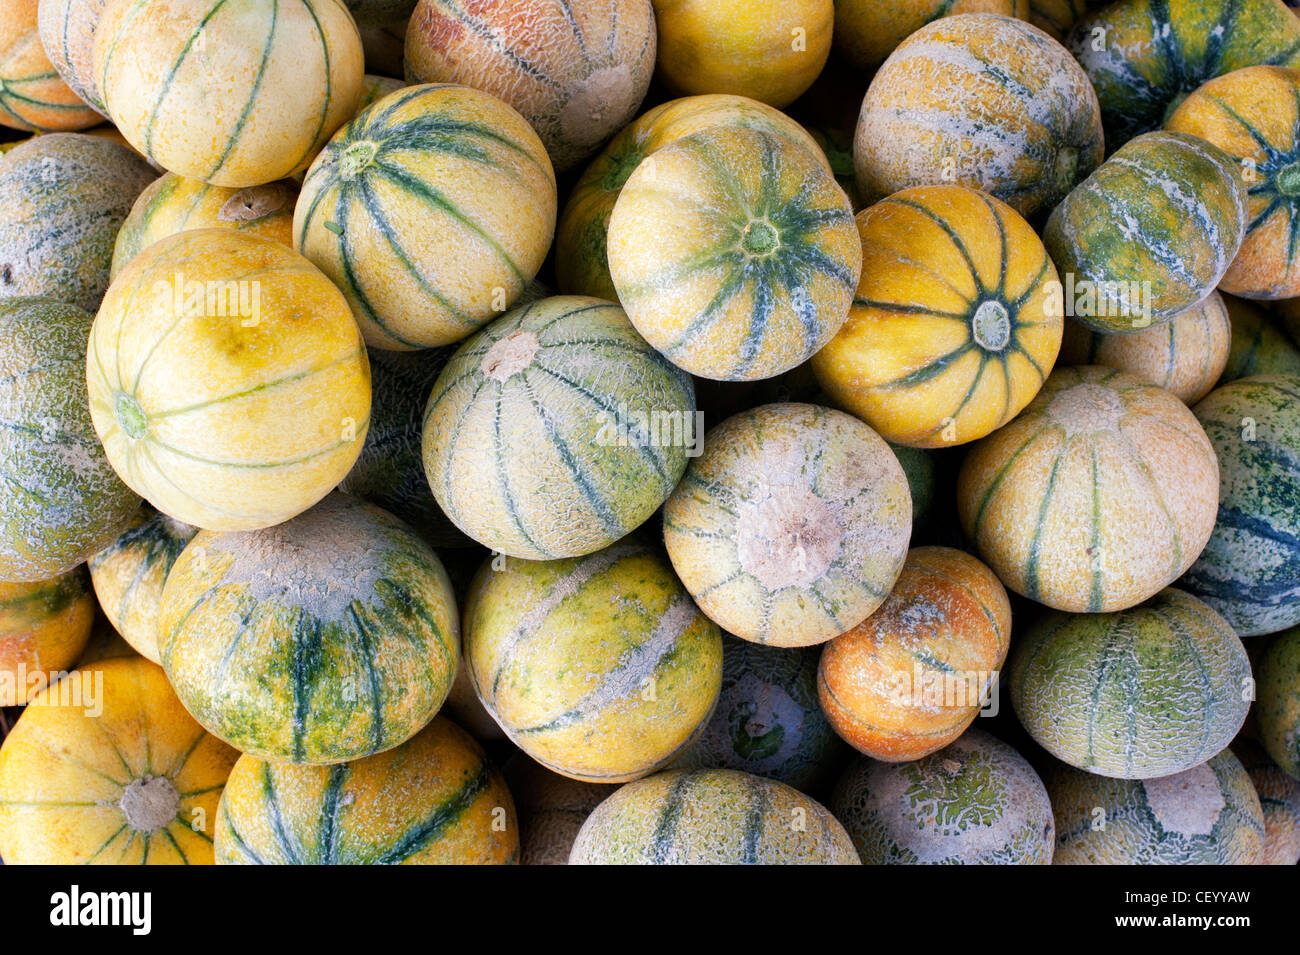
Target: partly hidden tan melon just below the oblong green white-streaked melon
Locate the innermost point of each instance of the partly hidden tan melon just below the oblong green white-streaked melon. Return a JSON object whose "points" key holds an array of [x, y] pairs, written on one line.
{"points": [[1185, 357]]}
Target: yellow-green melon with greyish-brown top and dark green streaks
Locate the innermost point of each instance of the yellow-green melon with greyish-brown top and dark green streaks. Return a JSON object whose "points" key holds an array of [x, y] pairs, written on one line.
{"points": [[323, 640]]}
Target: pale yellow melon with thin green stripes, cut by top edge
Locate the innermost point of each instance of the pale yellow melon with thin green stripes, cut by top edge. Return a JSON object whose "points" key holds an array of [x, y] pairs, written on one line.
{"points": [[291, 75]]}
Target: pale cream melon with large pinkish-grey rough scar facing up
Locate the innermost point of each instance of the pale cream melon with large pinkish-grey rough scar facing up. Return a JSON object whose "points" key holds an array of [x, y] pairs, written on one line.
{"points": [[791, 527]]}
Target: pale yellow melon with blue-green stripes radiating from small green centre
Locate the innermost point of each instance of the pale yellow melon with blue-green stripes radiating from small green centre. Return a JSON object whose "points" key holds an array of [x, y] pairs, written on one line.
{"points": [[735, 254]]}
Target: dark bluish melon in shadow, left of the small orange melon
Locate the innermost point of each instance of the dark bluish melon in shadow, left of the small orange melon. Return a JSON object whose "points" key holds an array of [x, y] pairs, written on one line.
{"points": [[769, 722]]}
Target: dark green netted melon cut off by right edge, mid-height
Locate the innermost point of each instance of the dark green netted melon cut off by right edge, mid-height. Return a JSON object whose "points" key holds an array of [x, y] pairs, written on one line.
{"points": [[1250, 571]]}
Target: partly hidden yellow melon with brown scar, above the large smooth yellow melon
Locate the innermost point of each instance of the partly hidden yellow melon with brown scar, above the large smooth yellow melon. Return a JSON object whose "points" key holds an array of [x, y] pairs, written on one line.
{"points": [[175, 205]]}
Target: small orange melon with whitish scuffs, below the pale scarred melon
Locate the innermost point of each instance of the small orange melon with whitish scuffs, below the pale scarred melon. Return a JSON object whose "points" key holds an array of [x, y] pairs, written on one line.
{"points": [[913, 676]]}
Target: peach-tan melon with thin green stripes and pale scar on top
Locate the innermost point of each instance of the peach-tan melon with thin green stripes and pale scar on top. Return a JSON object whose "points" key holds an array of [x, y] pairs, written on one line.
{"points": [[1098, 497]]}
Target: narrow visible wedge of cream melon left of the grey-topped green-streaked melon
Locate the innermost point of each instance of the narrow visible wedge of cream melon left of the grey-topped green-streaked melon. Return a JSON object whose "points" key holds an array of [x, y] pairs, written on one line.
{"points": [[129, 575]]}
